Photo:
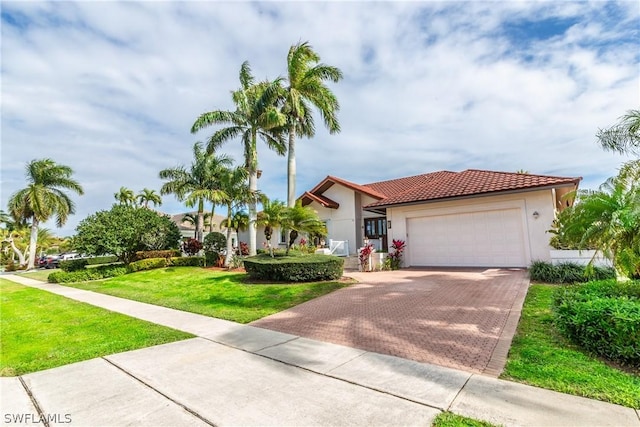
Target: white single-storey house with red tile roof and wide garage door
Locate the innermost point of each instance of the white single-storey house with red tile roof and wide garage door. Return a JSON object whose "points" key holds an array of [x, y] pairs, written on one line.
{"points": [[469, 218]]}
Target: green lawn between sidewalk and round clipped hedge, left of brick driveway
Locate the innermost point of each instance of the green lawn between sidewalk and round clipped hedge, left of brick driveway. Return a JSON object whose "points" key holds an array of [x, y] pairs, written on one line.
{"points": [[221, 294]]}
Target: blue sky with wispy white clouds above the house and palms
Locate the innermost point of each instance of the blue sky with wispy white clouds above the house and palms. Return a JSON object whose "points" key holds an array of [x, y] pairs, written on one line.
{"points": [[112, 89]]}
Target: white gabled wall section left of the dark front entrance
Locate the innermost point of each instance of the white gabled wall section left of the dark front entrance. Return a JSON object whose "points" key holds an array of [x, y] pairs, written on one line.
{"points": [[341, 222]]}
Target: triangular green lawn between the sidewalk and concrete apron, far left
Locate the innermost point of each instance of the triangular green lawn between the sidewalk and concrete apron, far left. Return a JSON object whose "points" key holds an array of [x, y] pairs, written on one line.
{"points": [[40, 330]]}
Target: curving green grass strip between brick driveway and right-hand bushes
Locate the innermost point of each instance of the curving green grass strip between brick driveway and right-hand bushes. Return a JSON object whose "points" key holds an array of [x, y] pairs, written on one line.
{"points": [[540, 356]]}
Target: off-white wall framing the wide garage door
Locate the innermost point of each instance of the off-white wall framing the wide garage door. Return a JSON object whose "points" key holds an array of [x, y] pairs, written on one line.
{"points": [[535, 229]]}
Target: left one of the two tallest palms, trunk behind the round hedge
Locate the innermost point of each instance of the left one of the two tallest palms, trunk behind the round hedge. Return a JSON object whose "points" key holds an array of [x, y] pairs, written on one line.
{"points": [[255, 116]]}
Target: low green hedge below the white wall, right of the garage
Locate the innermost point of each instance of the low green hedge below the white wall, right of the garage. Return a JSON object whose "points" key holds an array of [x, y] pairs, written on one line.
{"points": [[542, 271]]}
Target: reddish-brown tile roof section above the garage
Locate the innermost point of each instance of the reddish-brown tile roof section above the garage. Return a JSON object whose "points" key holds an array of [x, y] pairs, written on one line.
{"points": [[471, 182]]}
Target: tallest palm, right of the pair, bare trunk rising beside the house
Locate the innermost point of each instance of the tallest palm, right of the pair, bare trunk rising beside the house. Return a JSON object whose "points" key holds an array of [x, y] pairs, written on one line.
{"points": [[306, 88]]}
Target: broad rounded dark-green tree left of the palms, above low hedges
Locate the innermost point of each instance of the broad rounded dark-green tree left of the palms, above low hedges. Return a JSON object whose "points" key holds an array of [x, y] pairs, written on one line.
{"points": [[125, 230]]}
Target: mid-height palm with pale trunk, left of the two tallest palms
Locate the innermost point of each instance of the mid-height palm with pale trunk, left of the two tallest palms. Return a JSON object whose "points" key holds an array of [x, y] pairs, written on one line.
{"points": [[197, 184]]}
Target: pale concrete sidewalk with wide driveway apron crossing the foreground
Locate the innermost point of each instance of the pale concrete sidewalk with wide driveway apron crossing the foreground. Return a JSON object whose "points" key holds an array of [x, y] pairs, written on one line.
{"points": [[243, 375]]}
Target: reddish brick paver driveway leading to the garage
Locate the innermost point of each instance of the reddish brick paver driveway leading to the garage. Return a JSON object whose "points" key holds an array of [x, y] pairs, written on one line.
{"points": [[463, 318]]}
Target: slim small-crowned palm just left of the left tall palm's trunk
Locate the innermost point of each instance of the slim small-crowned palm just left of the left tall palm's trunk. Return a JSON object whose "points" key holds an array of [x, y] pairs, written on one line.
{"points": [[235, 192]]}
